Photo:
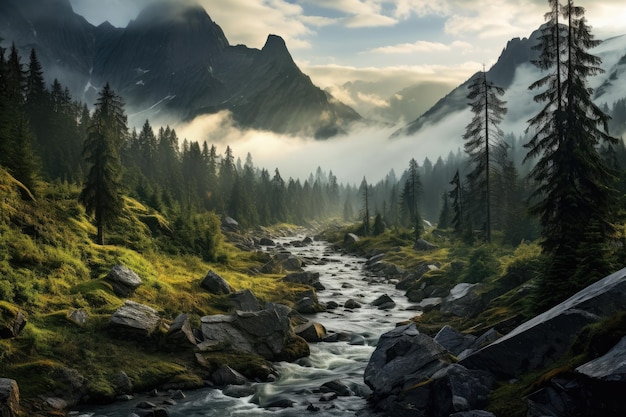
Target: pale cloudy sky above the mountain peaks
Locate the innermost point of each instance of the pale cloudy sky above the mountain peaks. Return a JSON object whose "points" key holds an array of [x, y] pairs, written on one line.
{"points": [[336, 41]]}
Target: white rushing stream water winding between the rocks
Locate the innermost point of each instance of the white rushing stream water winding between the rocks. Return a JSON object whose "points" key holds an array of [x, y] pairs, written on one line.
{"points": [[344, 278]]}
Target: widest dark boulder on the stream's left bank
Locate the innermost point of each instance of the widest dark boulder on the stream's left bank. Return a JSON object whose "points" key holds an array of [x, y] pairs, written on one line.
{"points": [[267, 333]]}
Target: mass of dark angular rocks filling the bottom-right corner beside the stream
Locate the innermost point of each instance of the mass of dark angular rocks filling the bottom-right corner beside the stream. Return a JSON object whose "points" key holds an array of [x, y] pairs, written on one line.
{"points": [[412, 374]]}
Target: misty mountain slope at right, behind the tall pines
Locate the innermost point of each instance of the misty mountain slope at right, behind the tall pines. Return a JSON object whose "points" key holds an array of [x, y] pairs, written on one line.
{"points": [[514, 72]]}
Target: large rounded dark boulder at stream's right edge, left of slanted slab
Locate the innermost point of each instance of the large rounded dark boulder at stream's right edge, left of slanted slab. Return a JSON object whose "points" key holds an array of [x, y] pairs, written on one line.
{"points": [[403, 357]]}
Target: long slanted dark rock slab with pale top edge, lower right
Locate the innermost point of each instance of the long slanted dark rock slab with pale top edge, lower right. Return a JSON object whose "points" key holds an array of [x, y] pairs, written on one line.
{"points": [[542, 340]]}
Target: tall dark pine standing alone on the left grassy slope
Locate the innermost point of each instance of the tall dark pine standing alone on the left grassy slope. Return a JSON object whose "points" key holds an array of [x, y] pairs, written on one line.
{"points": [[102, 192]]}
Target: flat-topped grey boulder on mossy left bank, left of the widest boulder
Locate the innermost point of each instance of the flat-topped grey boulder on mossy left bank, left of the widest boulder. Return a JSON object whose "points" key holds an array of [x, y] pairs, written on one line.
{"points": [[134, 320]]}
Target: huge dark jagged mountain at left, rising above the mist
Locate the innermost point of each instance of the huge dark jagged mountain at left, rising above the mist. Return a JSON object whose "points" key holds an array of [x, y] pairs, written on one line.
{"points": [[171, 63]]}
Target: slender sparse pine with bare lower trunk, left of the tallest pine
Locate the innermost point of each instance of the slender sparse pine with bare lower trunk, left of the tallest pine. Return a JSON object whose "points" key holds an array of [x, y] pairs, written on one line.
{"points": [[484, 139]]}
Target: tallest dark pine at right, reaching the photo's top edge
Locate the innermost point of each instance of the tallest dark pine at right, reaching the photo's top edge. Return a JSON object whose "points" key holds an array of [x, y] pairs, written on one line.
{"points": [[573, 197]]}
